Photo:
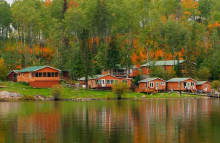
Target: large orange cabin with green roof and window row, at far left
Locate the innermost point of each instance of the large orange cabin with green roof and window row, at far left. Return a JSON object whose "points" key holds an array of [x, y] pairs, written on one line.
{"points": [[39, 76]]}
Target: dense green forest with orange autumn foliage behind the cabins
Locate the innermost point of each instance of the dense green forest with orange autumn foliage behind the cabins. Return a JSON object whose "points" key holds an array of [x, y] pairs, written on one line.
{"points": [[85, 36]]}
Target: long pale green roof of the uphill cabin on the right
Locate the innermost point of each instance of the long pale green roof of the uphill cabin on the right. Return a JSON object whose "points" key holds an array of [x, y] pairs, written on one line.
{"points": [[163, 63]]}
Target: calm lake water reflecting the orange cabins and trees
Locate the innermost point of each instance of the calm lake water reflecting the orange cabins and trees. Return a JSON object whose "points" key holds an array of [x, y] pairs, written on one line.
{"points": [[153, 120]]}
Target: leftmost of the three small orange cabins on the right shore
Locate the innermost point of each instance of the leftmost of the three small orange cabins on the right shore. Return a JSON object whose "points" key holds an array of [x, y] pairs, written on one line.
{"points": [[152, 85]]}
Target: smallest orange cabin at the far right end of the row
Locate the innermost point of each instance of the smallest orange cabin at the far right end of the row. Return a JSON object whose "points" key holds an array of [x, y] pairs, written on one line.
{"points": [[203, 86]]}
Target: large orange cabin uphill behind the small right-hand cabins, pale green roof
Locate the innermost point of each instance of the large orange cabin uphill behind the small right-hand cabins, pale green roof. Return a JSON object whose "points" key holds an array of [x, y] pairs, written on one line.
{"points": [[166, 65]]}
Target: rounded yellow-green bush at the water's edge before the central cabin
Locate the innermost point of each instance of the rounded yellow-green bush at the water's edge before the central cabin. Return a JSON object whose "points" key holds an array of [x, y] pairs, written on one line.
{"points": [[120, 88]]}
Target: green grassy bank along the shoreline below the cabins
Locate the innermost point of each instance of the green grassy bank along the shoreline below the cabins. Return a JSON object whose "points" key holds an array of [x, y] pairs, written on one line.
{"points": [[69, 93]]}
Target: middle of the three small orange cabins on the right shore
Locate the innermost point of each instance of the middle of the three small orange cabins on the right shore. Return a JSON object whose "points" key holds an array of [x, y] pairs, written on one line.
{"points": [[181, 84]]}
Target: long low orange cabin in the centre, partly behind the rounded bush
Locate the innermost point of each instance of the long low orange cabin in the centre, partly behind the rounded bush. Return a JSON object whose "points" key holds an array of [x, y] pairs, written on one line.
{"points": [[103, 81]]}
